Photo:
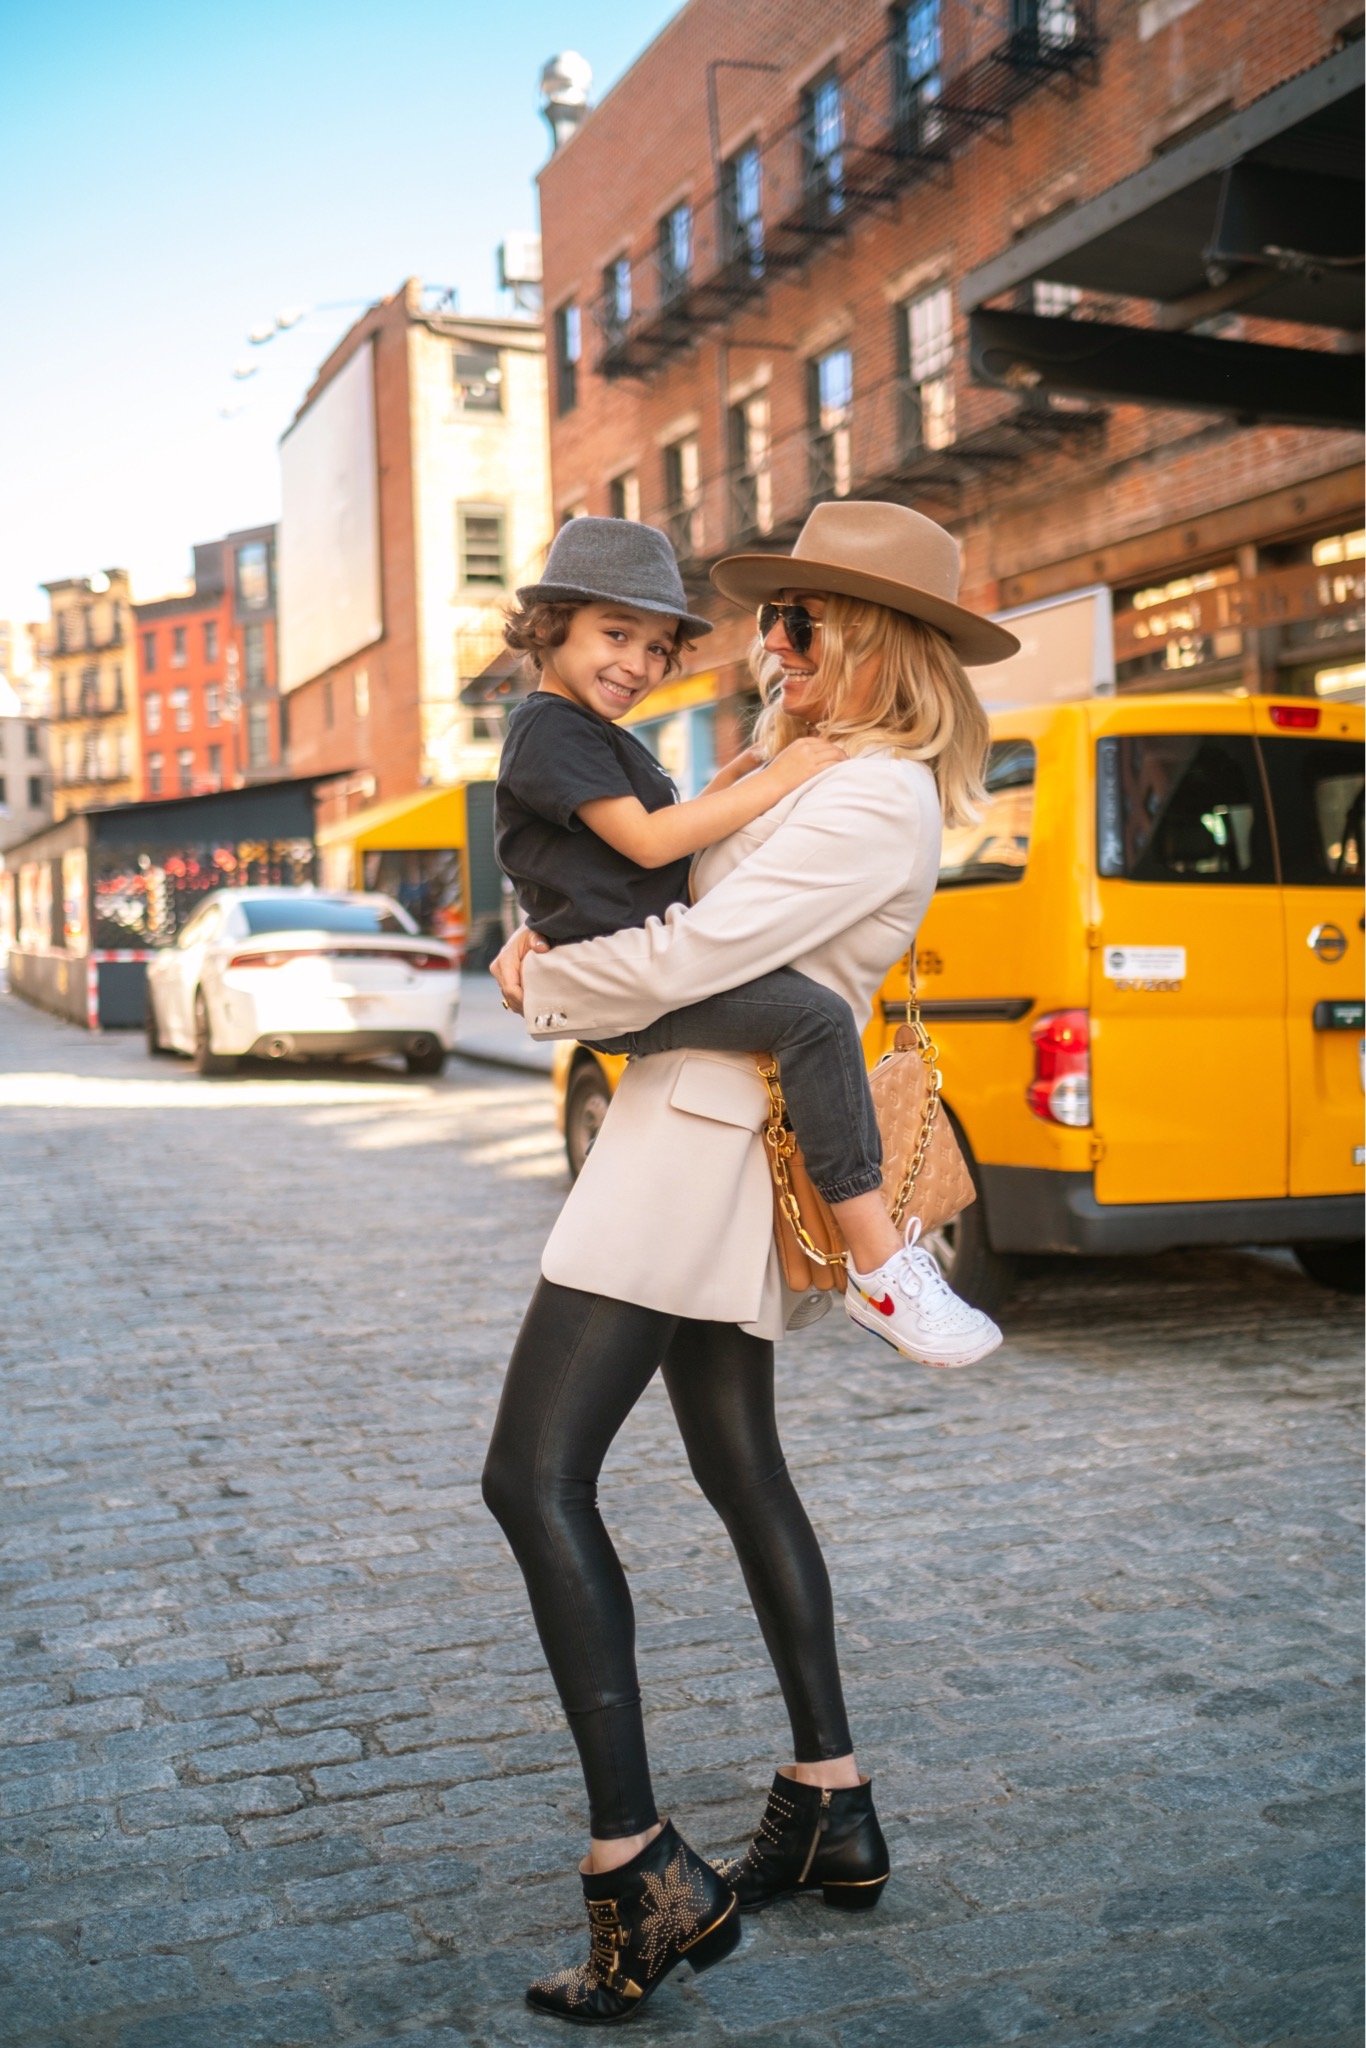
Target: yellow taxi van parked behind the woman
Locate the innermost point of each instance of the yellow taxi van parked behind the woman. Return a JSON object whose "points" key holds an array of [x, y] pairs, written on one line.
{"points": [[1144, 972]]}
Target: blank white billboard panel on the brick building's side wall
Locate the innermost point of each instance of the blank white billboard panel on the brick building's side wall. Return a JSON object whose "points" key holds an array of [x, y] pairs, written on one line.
{"points": [[331, 601]]}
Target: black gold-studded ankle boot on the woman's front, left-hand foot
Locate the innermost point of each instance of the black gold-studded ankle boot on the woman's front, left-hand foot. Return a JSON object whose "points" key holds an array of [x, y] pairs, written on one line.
{"points": [[660, 1910]]}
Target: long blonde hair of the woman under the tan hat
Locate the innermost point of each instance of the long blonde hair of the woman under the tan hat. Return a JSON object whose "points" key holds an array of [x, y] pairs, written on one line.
{"points": [[921, 703]]}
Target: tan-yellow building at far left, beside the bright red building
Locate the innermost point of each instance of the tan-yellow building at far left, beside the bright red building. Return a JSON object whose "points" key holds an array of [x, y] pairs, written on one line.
{"points": [[93, 730]]}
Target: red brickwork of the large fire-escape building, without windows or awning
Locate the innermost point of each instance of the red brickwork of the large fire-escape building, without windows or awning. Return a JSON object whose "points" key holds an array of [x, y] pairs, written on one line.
{"points": [[1066, 497]]}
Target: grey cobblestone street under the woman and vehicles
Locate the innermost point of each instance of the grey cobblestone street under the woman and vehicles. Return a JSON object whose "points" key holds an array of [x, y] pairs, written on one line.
{"points": [[282, 1764]]}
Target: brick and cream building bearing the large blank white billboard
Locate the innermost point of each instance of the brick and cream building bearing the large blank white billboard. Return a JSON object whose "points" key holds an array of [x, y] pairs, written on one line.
{"points": [[415, 499]]}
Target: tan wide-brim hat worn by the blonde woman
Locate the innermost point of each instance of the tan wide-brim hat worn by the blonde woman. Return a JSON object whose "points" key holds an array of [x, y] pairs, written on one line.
{"points": [[892, 556]]}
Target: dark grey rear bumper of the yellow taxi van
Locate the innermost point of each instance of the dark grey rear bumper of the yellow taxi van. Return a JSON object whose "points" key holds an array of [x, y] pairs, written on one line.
{"points": [[1033, 1209]]}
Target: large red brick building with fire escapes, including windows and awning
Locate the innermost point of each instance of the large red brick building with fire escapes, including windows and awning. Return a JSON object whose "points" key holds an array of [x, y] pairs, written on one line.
{"points": [[986, 263]]}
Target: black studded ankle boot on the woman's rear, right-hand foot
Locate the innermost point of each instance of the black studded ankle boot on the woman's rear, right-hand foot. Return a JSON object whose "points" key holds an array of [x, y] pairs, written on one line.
{"points": [[812, 1838]]}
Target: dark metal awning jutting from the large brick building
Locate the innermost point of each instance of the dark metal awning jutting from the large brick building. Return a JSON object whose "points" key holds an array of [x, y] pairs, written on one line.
{"points": [[1261, 212]]}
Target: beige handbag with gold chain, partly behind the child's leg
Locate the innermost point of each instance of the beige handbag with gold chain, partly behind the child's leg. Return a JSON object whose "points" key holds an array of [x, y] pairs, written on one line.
{"points": [[925, 1172]]}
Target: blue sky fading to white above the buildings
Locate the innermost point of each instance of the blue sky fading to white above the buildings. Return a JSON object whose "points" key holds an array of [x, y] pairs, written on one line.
{"points": [[175, 175]]}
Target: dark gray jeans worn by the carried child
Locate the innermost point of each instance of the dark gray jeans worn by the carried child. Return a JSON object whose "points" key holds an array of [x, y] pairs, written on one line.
{"points": [[812, 1035]]}
